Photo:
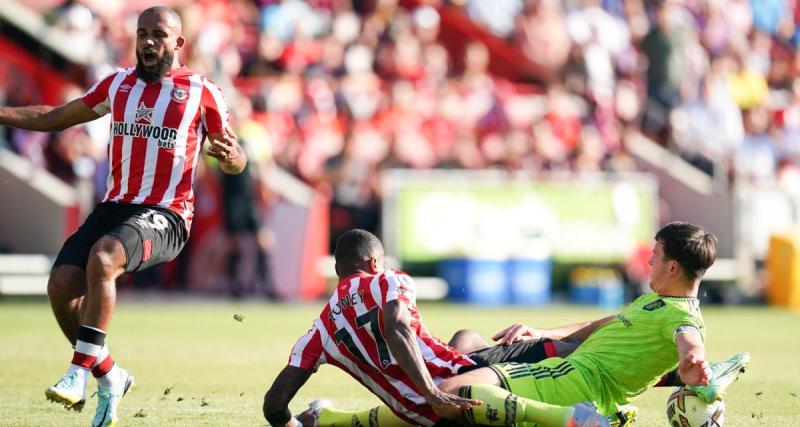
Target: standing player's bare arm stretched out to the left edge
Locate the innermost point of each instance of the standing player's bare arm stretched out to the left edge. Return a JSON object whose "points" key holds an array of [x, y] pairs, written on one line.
{"points": [[46, 118]]}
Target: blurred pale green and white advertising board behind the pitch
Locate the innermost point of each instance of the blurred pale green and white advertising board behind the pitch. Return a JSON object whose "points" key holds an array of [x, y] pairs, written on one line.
{"points": [[434, 215]]}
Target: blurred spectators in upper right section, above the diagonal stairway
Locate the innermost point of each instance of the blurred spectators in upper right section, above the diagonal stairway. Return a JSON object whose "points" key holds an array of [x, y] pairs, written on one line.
{"points": [[716, 80]]}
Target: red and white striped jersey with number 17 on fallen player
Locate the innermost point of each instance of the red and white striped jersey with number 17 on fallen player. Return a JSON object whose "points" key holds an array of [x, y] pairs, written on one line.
{"points": [[349, 334]]}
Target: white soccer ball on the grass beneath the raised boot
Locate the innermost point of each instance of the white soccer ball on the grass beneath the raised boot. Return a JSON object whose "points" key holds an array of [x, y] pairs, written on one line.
{"points": [[685, 409]]}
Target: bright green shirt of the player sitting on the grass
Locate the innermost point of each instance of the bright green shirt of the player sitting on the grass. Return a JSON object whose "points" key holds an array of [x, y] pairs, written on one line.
{"points": [[624, 357]]}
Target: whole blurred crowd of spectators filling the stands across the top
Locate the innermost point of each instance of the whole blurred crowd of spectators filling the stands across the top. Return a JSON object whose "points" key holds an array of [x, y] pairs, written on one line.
{"points": [[337, 90]]}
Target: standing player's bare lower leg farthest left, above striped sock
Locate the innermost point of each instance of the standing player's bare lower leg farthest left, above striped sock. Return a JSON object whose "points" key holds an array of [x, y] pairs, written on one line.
{"points": [[66, 289]]}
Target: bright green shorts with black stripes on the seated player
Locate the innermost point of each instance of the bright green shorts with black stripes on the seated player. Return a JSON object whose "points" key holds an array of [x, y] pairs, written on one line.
{"points": [[552, 380]]}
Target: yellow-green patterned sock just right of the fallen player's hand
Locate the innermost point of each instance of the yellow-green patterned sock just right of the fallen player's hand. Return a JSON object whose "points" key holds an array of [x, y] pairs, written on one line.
{"points": [[503, 408]]}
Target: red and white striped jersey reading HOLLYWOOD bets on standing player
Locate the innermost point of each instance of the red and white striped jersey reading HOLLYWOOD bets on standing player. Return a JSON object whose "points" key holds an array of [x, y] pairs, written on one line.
{"points": [[157, 131]]}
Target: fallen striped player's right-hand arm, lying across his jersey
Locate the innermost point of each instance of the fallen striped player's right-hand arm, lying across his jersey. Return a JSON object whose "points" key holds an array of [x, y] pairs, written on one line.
{"points": [[402, 343]]}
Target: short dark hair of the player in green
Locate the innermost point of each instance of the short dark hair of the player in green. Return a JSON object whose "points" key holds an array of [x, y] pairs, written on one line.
{"points": [[694, 248]]}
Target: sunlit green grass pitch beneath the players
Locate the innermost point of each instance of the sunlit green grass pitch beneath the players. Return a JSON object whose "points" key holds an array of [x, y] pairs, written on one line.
{"points": [[195, 365]]}
